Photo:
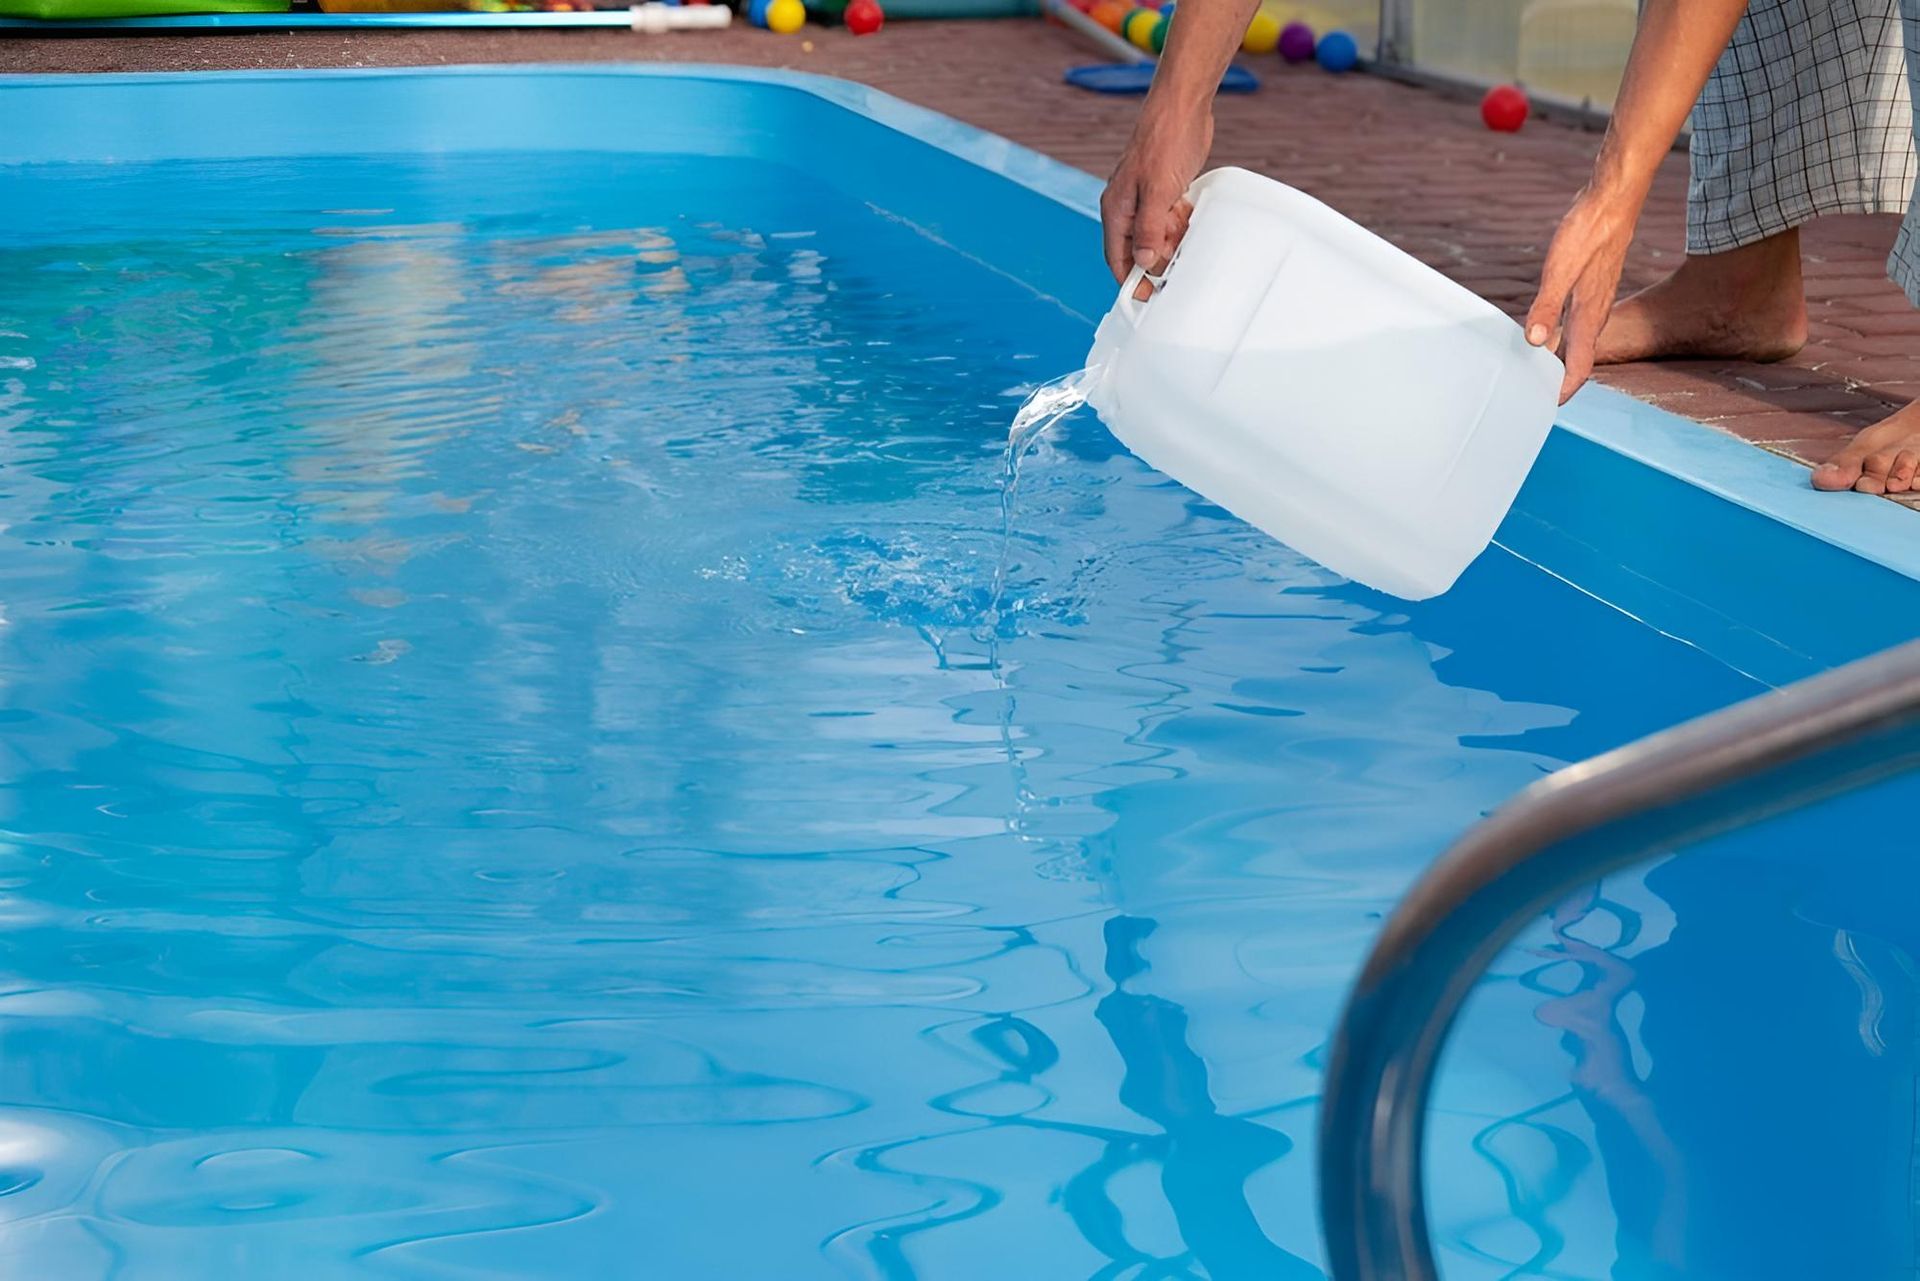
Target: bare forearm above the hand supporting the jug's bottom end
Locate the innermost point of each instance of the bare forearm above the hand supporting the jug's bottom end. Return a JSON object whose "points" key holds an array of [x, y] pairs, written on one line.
{"points": [[1675, 51]]}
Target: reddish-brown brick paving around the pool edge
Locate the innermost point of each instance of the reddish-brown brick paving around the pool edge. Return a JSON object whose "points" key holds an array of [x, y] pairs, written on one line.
{"points": [[1412, 164]]}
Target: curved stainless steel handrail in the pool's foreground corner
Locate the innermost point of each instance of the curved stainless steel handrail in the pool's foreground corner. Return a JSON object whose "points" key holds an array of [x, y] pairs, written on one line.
{"points": [[1764, 758]]}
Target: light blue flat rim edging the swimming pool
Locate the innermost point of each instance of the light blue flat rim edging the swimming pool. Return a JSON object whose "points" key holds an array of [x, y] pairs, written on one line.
{"points": [[1692, 452]]}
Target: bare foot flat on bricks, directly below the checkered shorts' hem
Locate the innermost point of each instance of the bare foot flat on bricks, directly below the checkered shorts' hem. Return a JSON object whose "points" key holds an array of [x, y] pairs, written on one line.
{"points": [[1746, 304]]}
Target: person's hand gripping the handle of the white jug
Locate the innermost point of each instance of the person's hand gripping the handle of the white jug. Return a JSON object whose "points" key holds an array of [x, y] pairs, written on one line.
{"points": [[1145, 208]]}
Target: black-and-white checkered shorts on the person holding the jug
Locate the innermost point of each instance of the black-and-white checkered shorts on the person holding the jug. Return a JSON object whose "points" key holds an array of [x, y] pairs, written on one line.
{"points": [[1810, 112]]}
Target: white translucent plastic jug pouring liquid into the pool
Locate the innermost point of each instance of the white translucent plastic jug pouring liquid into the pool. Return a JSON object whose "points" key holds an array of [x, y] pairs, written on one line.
{"points": [[1326, 387]]}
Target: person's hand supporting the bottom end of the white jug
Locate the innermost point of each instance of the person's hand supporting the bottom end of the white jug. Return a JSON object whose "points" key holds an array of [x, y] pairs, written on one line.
{"points": [[1579, 281]]}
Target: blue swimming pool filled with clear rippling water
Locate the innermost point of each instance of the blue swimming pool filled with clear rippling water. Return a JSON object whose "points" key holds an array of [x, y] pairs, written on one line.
{"points": [[506, 773]]}
